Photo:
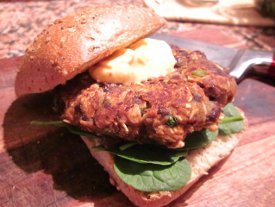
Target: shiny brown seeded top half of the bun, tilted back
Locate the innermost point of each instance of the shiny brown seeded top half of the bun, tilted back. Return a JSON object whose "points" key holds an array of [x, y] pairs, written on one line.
{"points": [[71, 44]]}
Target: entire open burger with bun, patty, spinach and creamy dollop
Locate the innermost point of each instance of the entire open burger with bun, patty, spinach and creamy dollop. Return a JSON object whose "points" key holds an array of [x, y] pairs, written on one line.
{"points": [[155, 116]]}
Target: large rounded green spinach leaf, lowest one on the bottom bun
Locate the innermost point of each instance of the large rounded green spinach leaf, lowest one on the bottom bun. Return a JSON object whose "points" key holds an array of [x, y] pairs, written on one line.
{"points": [[153, 178]]}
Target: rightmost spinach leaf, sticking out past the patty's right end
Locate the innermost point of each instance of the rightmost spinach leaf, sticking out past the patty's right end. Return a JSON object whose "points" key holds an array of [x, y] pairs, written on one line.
{"points": [[232, 121]]}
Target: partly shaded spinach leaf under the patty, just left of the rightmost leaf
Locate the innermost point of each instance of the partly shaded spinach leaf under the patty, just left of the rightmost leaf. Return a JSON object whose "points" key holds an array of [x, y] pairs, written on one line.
{"points": [[199, 139]]}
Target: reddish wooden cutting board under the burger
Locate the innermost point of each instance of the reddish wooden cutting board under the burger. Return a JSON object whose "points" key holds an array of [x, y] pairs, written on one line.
{"points": [[45, 167]]}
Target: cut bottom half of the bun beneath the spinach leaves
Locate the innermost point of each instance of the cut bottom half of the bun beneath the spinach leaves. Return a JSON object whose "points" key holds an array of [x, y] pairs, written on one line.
{"points": [[201, 161]]}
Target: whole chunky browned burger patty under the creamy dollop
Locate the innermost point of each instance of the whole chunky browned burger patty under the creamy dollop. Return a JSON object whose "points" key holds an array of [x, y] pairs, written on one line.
{"points": [[163, 110]]}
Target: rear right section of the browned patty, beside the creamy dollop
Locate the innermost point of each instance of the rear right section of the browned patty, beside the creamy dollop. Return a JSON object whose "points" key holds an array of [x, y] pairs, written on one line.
{"points": [[212, 78]]}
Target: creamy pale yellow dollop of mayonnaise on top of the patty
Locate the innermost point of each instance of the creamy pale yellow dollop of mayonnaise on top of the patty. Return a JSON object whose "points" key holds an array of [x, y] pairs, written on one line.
{"points": [[145, 59]]}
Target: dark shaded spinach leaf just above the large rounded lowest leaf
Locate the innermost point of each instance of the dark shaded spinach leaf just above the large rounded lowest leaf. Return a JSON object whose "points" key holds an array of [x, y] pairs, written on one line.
{"points": [[149, 153]]}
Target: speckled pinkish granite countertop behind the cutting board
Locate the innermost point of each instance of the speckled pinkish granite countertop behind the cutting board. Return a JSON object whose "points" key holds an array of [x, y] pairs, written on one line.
{"points": [[24, 19]]}
